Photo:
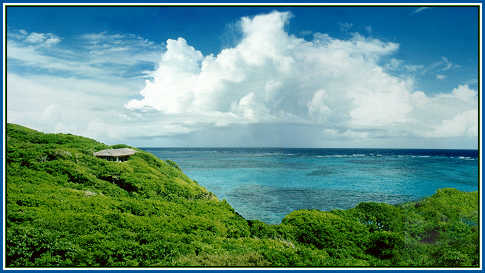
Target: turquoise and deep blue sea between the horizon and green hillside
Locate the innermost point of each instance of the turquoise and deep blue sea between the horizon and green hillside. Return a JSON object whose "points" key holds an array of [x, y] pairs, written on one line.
{"points": [[268, 183]]}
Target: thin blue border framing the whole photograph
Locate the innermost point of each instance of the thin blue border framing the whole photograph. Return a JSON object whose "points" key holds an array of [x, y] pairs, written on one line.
{"points": [[383, 2]]}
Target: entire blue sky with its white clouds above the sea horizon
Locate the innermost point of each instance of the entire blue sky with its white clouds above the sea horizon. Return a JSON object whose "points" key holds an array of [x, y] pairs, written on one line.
{"points": [[329, 77]]}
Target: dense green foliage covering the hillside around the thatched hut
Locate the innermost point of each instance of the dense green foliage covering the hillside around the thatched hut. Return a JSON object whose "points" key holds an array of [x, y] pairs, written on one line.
{"points": [[67, 208]]}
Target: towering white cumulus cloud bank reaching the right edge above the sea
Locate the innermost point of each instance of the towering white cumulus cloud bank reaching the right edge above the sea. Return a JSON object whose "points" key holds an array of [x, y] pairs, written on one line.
{"points": [[343, 88]]}
